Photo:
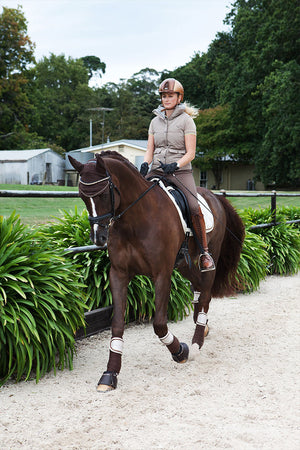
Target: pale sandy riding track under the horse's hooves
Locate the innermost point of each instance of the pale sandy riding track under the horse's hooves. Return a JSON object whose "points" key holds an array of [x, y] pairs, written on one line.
{"points": [[241, 391]]}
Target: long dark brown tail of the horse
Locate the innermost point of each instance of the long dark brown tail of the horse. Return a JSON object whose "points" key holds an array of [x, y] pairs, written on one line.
{"points": [[226, 282]]}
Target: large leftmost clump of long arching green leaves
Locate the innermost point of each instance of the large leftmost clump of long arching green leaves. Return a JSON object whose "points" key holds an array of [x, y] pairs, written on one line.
{"points": [[41, 304]]}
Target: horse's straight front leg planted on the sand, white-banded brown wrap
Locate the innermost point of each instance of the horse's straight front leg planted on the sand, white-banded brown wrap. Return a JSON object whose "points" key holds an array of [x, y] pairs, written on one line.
{"points": [[118, 285]]}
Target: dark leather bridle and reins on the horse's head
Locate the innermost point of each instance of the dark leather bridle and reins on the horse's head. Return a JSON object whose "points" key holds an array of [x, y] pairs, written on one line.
{"points": [[98, 220]]}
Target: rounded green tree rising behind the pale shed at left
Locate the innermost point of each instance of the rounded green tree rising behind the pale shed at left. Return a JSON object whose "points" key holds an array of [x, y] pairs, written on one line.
{"points": [[59, 92]]}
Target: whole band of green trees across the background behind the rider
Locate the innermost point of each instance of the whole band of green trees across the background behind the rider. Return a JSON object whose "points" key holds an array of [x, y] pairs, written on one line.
{"points": [[245, 87]]}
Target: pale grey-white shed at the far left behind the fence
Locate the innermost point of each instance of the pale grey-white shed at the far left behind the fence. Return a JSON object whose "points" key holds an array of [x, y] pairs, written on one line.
{"points": [[31, 166]]}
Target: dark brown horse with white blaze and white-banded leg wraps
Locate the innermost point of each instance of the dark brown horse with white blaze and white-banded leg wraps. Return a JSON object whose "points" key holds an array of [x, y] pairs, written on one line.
{"points": [[139, 225]]}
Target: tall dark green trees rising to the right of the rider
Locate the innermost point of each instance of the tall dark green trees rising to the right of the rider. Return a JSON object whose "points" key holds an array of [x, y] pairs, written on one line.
{"points": [[254, 71]]}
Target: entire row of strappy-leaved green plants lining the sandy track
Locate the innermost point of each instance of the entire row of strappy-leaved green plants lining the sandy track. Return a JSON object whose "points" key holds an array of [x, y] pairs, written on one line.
{"points": [[44, 291]]}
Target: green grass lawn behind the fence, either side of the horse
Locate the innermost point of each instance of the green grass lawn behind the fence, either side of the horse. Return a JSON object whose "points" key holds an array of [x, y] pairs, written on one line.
{"points": [[42, 210]]}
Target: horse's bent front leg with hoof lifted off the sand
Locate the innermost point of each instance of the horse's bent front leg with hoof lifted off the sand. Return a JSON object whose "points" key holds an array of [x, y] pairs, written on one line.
{"points": [[179, 351]]}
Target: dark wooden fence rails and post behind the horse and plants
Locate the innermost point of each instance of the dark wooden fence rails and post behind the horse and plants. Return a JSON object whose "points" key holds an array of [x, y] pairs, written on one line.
{"points": [[100, 319]]}
